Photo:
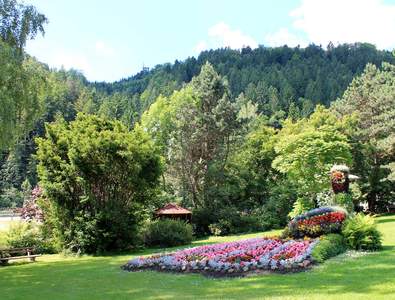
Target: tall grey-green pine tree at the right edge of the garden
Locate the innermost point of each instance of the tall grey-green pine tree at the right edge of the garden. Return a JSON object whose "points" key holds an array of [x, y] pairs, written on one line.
{"points": [[371, 97]]}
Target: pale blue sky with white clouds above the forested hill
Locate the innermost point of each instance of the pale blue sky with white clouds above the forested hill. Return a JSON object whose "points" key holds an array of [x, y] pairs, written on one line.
{"points": [[111, 40]]}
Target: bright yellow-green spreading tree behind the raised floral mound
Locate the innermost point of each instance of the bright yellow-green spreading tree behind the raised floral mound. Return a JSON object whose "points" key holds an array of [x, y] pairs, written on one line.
{"points": [[307, 149]]}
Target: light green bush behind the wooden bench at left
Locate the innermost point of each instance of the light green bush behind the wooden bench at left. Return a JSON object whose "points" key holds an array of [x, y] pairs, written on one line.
{"points": [[23, 235]]}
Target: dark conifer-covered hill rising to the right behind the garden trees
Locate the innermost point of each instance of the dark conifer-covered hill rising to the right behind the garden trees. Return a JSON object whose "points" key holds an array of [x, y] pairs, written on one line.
{"points": [[271, 77]]}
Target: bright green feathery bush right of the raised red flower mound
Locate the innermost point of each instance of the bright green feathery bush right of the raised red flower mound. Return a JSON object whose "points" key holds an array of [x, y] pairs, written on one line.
{"points": [[361, 233]]}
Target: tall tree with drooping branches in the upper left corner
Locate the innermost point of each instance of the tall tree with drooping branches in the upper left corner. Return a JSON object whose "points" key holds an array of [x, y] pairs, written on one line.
{"points": [[19, 77]]}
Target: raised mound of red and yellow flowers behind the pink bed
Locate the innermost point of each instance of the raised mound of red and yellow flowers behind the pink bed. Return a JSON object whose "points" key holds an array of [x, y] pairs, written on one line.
{"points": [[317, 222]]}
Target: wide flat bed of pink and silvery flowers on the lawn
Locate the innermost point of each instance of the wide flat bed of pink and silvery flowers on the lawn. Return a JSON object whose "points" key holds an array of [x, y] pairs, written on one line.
{"points": [[233, 257]]}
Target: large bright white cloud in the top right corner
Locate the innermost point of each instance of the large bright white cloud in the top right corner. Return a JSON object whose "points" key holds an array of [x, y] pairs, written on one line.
{"points": [[342, 21]]}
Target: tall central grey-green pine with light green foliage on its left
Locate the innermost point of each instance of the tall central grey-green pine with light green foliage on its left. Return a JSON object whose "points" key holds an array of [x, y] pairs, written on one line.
{"points": [[193, 128]]}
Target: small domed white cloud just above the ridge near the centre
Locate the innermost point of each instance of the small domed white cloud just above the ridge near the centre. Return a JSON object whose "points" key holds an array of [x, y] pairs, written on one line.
{"points": [[221, 35]]}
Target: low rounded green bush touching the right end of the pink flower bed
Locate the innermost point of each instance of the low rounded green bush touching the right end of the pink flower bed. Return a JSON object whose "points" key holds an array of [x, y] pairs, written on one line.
{"points": [[329, 245]]}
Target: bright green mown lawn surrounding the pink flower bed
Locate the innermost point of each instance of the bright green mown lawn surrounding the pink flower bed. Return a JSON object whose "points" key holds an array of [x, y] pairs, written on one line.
{"points": [[349, 276]]}
